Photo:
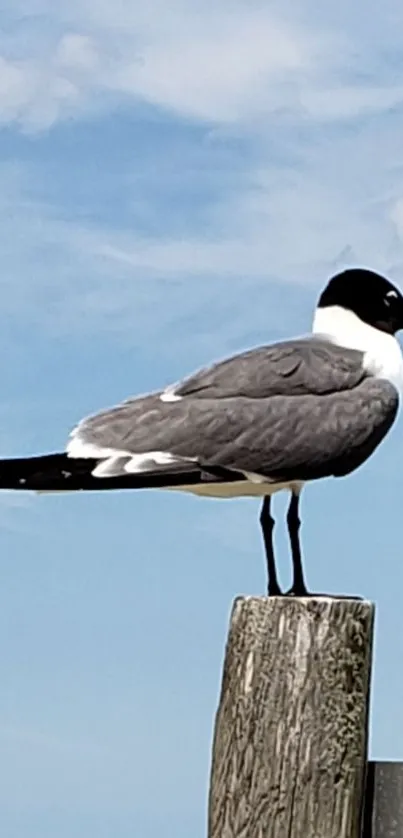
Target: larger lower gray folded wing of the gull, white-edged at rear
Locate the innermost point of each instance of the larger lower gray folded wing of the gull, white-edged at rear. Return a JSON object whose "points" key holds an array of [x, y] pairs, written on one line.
{"points": [[279, 438]]}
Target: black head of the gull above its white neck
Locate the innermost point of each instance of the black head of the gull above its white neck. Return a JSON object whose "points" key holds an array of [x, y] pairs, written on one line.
{"points": [[368, 295]]}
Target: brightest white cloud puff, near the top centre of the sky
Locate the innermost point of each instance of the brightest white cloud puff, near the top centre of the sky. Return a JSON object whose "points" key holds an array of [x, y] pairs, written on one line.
{"points": [[224, 70]]}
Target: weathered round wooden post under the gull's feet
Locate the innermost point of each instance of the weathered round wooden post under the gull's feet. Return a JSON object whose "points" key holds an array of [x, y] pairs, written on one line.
{"points": [[290, 741]]}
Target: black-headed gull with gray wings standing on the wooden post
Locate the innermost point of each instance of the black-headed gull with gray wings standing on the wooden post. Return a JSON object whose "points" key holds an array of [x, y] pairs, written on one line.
{"points": [[269, 419]]}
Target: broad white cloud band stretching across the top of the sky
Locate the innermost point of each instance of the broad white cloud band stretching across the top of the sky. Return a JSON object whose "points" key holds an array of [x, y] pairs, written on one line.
{"points": [[223, 65]]}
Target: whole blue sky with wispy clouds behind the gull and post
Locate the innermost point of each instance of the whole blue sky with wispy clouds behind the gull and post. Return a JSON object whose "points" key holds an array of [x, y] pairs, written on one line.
{"points": [[177, 181]]}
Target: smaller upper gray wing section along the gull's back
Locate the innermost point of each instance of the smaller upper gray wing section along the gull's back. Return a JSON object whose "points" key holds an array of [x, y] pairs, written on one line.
{"points": [[294, 367]]}
